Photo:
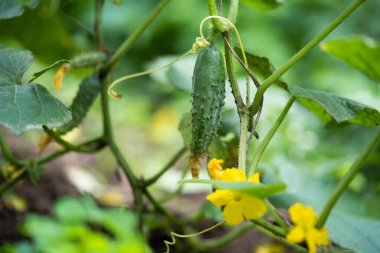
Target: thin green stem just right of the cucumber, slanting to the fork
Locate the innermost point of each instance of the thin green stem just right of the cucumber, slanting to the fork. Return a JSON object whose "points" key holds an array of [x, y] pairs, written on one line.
{"points": [[231, 76]]}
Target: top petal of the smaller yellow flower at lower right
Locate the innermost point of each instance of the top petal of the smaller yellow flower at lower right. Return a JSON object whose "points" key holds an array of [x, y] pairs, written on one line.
{"points": [[301, 215]]}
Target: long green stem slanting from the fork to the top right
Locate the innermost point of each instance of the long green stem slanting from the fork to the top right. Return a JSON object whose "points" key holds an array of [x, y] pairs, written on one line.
{"points": [[298, 56]]}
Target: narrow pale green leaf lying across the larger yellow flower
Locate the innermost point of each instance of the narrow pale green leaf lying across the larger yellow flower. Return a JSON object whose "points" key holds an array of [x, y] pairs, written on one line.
{"points": [[258, 190]]}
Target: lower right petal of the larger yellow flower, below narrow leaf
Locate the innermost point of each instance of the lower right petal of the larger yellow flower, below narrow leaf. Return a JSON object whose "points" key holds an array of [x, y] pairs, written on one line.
{"points": [[252, 207]]}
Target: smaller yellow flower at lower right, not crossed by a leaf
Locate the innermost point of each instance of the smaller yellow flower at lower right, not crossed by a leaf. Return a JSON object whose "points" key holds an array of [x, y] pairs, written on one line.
{"points": [[304, 219]]}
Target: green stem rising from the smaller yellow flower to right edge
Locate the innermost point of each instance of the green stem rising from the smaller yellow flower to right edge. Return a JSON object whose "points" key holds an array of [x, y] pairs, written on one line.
{"points": [[350, 175]]}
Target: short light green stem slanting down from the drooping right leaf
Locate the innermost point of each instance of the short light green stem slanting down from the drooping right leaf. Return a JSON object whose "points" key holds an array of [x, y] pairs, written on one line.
{"points": [[260, 150]]}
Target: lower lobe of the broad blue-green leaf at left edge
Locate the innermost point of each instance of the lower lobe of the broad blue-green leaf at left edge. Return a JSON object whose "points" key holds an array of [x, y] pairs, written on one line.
{"points": [[29, 106]]}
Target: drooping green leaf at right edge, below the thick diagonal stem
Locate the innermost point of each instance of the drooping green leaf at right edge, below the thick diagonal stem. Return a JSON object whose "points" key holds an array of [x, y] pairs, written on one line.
{"points": [[334, 110]]}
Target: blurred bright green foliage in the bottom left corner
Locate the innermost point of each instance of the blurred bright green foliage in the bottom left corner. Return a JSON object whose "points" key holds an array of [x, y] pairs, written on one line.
{"points": [[79, 225]]}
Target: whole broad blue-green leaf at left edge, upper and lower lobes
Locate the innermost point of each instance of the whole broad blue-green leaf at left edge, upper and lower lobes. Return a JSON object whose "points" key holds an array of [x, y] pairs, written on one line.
{"points": [[28, 106]]}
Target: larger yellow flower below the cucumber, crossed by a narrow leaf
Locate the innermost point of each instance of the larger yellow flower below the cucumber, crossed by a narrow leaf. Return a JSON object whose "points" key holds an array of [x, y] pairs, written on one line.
{"points": [[237, 205]]}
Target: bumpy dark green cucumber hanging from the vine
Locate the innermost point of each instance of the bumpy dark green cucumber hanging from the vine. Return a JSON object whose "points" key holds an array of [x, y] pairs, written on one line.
{"points": [[208, 95]]}
